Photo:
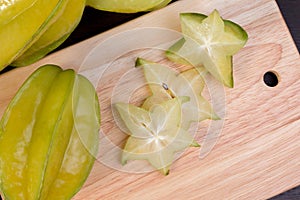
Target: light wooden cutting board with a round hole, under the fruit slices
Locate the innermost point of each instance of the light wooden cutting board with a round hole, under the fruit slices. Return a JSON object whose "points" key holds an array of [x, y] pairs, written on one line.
{"points": [[252, 153]]}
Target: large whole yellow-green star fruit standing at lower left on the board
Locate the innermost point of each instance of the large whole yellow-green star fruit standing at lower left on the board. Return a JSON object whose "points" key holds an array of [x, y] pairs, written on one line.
{"points": [[49, 136]]}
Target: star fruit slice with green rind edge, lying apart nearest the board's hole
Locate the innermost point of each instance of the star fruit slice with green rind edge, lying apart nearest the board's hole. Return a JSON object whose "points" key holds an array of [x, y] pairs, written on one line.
{"points": [[209, 41]]}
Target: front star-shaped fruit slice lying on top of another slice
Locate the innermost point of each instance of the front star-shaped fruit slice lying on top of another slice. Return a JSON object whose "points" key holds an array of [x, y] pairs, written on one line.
{"points": [[155, 134]]}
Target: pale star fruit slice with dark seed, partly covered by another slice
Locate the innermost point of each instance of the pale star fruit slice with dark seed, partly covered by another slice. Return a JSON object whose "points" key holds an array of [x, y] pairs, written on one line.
{"points": [[166, 84]]}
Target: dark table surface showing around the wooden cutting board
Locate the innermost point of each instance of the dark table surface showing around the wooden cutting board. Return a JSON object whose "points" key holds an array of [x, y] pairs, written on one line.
{"points": [[95, 22]]}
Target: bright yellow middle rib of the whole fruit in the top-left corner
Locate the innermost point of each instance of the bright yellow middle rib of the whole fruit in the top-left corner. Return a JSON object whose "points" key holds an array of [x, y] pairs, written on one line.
{"points": [[21, 32]]}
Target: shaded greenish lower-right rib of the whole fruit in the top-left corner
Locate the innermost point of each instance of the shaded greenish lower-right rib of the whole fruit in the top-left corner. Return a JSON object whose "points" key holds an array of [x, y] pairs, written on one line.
{"points": [[55, 35]]}
